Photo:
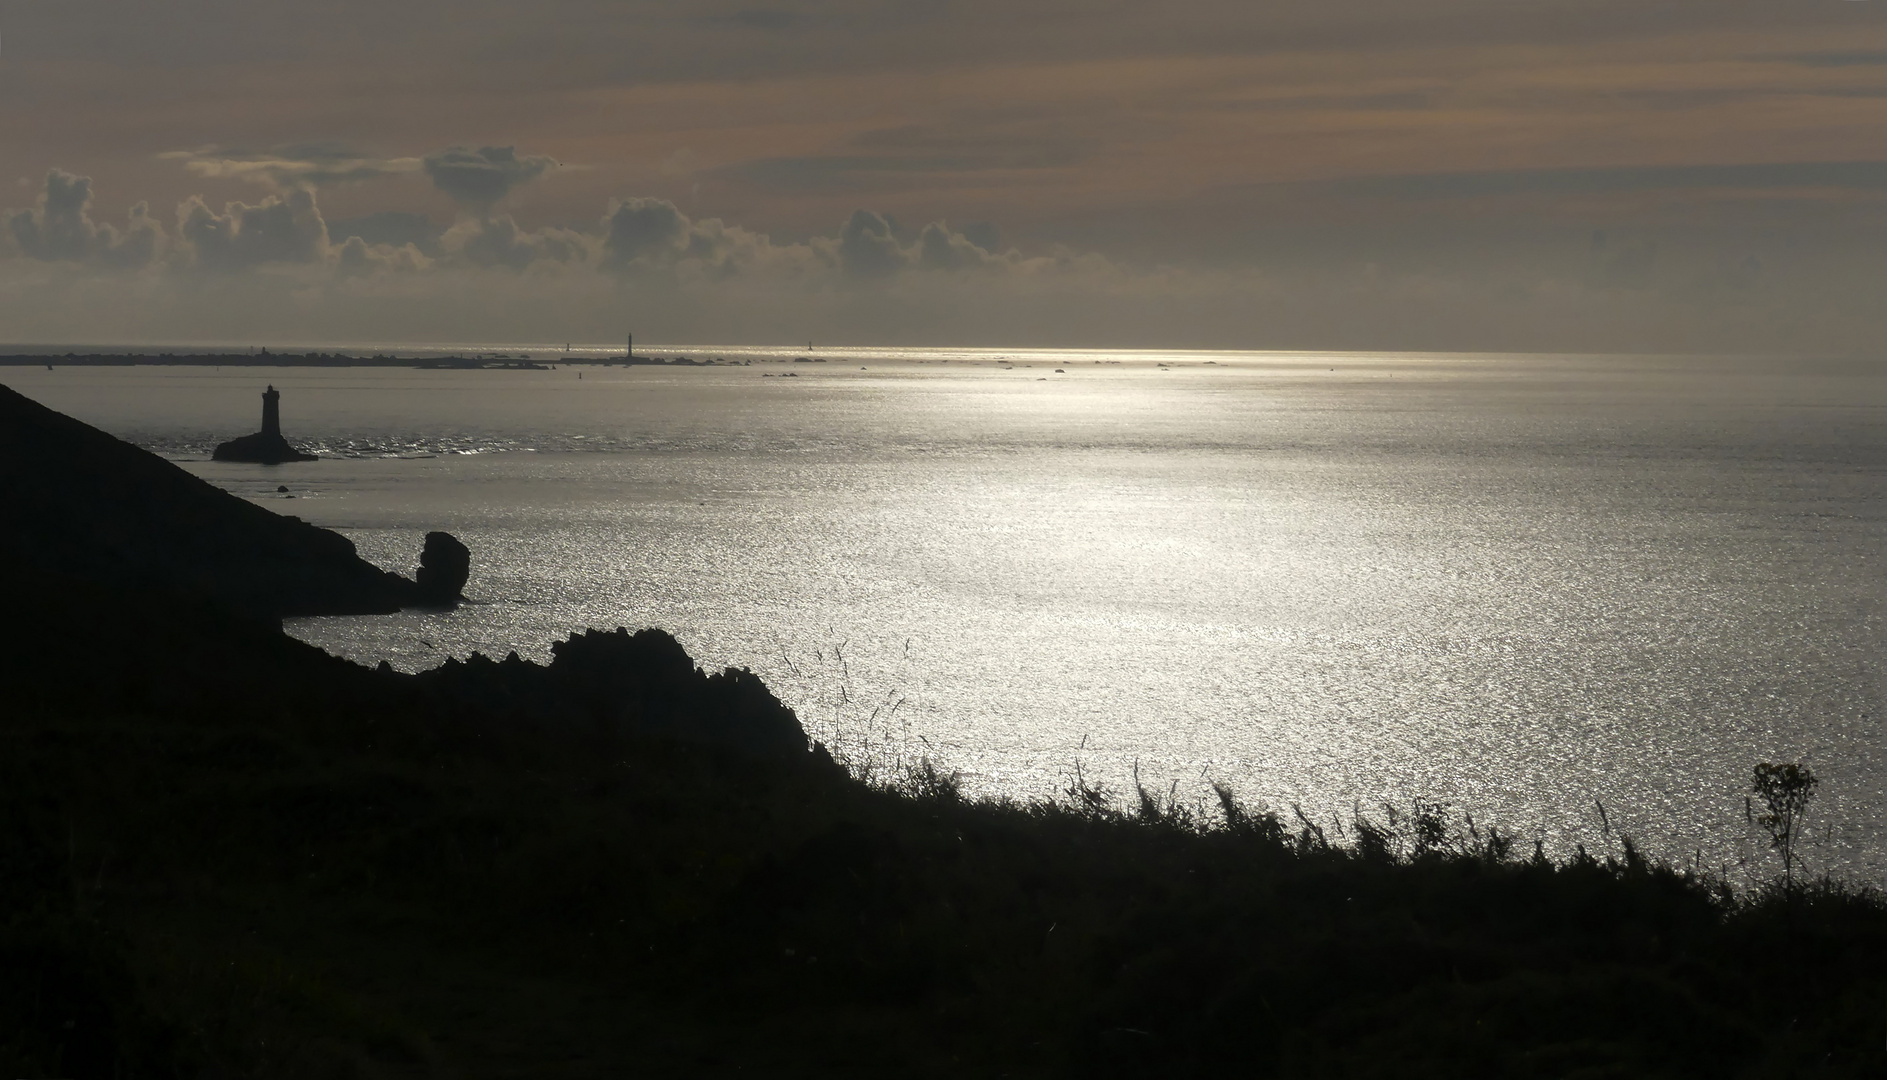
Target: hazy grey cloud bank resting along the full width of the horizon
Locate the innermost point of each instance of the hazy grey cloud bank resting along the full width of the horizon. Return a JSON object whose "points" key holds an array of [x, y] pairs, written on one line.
{"points": [[710, 280]]}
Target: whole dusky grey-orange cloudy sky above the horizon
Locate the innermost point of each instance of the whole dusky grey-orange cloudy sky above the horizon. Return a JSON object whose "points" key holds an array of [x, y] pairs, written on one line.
{"points": [[1290, 175]]}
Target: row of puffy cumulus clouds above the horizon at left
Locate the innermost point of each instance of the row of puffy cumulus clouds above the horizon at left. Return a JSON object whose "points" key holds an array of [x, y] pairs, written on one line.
{"points": [[633, 237]]}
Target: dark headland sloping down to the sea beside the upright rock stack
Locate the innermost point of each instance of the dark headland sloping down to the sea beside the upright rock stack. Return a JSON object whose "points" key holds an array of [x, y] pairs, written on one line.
{"points": [[90, 507]]}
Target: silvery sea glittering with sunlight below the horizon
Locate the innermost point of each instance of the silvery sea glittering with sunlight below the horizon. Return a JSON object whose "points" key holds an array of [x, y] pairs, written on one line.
{"points": [[1577, 598]]}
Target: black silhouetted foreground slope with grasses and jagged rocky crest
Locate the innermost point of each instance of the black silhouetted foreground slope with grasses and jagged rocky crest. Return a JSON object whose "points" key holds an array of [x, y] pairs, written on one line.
{"points": [[229, 854]]}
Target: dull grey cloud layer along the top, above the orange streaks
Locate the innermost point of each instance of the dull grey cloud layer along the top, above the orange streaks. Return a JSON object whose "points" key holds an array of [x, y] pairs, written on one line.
{"points": [[712, 39]]}
